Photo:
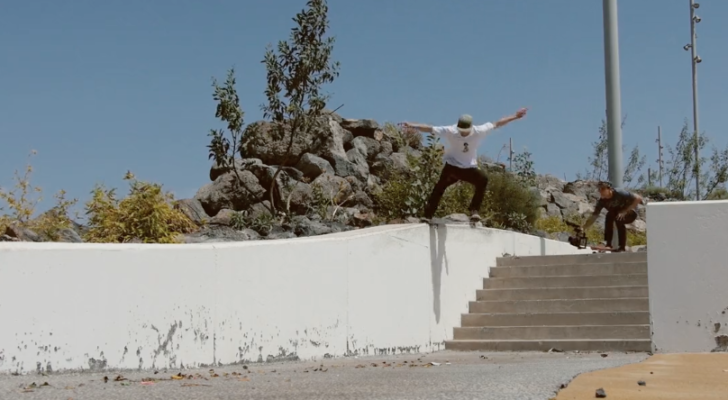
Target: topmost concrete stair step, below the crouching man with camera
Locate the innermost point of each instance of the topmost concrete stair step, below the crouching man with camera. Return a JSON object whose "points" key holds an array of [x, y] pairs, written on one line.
{"points": [[571, 259]]}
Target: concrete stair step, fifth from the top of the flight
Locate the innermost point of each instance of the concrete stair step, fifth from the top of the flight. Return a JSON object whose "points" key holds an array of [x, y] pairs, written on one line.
{"points": [[553, 306]]}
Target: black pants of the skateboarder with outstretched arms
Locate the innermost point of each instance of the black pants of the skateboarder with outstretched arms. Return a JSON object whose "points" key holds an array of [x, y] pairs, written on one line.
{"points": [[451, 175]]}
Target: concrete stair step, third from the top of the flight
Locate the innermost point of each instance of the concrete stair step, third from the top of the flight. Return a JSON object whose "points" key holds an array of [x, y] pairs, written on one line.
{"points": [[565, 281]]}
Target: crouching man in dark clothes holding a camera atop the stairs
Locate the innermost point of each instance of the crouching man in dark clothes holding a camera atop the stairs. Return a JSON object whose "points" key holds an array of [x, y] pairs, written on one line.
{"points": [[620, 205]]}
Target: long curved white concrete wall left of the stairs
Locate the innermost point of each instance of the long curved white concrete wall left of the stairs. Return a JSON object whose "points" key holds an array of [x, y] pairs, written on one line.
{"points": [[390, 289]]}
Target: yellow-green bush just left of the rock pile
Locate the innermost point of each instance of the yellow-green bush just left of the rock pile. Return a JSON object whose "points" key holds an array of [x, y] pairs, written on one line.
{"points": [[146, 214]]}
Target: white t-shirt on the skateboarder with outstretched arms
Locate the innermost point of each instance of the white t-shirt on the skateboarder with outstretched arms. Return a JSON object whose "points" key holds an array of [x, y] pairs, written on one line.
{"points": [[462, 151]]}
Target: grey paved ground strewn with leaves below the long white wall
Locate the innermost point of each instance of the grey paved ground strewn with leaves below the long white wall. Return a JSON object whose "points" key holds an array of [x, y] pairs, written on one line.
{"points": [[441, 375]]}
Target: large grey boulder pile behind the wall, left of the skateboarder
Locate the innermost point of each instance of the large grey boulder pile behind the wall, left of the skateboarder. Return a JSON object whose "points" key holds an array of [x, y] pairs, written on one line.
{"points": [[327, 181]]}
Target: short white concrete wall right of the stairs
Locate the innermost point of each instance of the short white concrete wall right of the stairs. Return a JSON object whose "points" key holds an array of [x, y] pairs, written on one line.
{"points": [[687, 258]]}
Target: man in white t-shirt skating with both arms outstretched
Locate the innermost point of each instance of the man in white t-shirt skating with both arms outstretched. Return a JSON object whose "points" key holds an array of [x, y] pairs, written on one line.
{"points": [[461, 158]]}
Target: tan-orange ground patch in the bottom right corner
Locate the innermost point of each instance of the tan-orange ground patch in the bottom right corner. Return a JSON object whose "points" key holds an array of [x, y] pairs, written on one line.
{"points": [[701, 376]]}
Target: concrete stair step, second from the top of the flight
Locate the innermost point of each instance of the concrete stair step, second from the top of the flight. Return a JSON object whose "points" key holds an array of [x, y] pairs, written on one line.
{"points": [[617, 268]]}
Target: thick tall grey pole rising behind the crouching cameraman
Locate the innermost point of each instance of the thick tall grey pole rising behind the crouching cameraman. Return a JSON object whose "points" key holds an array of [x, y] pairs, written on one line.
{"points": [[614, 107]]}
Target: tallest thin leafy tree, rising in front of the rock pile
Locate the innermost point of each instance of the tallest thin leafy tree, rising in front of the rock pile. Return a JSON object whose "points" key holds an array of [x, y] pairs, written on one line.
{"points": [[295, 75]]}
